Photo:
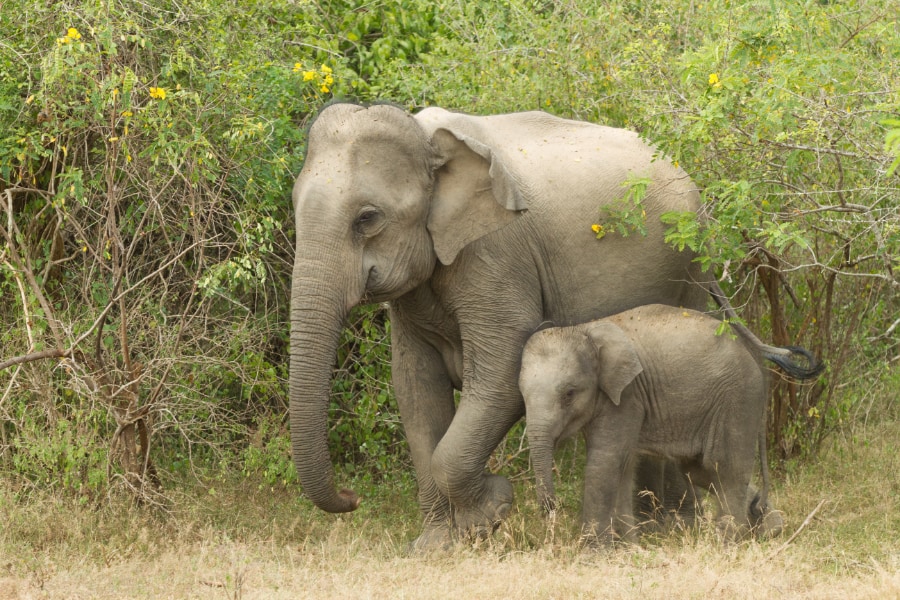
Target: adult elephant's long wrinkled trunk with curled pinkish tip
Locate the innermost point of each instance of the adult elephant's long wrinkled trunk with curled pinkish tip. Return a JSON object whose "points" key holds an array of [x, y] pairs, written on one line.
{"points": [[319, 306]]}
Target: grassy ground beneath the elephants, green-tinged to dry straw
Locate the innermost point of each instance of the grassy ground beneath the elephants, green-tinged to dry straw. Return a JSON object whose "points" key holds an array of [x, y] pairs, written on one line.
{"points": [[235, 540]]}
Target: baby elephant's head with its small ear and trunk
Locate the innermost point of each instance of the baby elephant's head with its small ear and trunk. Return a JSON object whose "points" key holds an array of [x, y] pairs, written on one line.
{"points": [[567, 373]]}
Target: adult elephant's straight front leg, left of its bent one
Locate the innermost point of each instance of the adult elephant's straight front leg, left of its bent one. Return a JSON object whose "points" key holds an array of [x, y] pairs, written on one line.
{"points": [[424, 395]]}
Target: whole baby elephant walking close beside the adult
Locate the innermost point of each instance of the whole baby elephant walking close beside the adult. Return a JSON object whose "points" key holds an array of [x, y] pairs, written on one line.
{"points": [[654, 380]]}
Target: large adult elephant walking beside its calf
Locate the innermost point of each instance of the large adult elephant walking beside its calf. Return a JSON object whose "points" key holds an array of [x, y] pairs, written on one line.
{"points": [[476, 230]]}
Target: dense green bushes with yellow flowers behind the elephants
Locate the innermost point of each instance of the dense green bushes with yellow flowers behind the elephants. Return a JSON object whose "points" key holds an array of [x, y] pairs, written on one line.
{"points": [[147, 152]]}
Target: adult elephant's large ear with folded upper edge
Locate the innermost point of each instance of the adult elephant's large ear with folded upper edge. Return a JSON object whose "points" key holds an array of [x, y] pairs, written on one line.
{"points": [[474, 194]]}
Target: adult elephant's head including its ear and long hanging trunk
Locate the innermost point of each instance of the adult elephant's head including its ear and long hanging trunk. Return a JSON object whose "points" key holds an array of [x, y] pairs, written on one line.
{"points": [[378, 202]]}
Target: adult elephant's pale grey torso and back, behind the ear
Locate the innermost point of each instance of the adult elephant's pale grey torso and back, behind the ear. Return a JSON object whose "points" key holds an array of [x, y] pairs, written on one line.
{"points": [[566, 171]]}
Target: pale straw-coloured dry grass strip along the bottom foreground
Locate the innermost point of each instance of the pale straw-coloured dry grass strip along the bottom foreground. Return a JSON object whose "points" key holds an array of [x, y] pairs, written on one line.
{"points": [[343, 568]]}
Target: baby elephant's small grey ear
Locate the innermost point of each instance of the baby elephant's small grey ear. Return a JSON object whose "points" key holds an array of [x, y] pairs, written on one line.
{"points": [[618, 363]]}
